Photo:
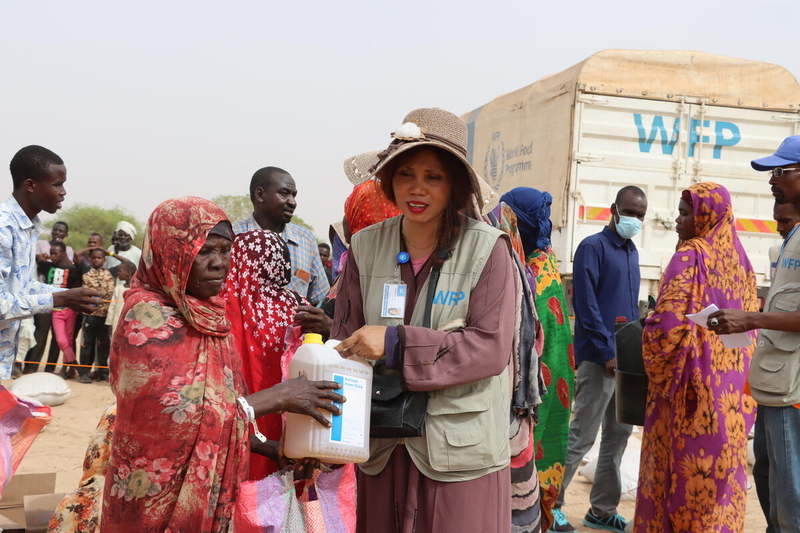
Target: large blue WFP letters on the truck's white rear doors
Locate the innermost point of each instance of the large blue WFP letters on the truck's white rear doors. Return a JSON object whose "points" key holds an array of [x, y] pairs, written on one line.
{"points": [[725, 134]]}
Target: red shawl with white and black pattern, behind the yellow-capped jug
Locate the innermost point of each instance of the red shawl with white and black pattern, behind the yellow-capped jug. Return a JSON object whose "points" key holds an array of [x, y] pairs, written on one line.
{"points": [[260, 310]]}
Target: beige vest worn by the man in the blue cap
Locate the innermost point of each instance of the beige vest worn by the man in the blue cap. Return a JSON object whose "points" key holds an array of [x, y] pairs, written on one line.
{"points": [[775, 370]]}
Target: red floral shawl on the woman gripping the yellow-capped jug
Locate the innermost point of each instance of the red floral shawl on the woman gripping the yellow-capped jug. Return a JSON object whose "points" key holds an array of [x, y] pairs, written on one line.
{"points": [[180, 444]]}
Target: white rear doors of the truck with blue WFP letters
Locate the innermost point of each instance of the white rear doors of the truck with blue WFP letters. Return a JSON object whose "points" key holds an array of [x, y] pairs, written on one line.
{"points": [[665, 147]]}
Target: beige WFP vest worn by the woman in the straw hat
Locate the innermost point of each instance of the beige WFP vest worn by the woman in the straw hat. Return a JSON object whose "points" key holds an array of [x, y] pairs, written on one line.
{"points": [[466, 426]]}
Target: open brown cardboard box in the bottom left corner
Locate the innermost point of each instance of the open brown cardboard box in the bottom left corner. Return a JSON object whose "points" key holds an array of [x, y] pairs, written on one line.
{"points": [[28, 502]]}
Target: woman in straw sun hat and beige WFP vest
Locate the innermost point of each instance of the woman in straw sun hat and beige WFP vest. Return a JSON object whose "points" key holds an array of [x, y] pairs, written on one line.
{"points": [[431, 295]]}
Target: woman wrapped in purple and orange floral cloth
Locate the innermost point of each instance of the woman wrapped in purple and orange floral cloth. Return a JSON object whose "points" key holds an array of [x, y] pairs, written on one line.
{"points": [[694, 449]]}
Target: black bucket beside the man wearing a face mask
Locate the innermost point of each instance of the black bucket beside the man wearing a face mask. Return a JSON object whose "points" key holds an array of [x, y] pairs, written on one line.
{"points": [[631, 379]]}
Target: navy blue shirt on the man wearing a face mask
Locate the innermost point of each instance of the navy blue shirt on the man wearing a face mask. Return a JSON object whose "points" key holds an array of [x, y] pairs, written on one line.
{"points": [[605, 286]]}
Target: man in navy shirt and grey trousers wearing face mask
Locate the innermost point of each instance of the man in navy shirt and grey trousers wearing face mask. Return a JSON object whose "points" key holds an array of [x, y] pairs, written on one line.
{"points": [[605, 286]]}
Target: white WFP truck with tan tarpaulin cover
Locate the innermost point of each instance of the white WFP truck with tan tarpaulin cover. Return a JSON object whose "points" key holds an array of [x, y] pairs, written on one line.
{"points": [[659, 120]]}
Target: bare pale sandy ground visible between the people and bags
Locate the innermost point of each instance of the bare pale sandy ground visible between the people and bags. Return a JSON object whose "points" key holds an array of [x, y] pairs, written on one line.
{"points": [[61, 446]]}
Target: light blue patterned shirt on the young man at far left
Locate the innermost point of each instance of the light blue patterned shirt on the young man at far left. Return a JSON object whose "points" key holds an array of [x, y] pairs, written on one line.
{"points": [[21, 294]]}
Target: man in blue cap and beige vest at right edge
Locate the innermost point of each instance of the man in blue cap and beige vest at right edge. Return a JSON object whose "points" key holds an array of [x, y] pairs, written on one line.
{"points": [[775, 370]]}
